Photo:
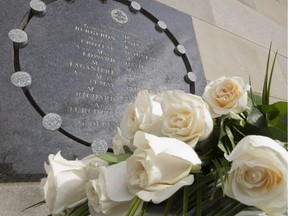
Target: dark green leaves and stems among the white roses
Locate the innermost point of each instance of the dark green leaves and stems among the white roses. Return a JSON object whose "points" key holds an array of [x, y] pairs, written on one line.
{"points": [[206, 195]]}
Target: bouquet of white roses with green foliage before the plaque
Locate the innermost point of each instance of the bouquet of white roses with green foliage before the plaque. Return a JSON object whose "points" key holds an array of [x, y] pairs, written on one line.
{"points": [[183, 154]]}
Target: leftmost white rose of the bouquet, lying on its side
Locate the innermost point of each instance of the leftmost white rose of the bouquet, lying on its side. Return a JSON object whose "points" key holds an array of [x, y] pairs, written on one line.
{"points": [[64, 186]]}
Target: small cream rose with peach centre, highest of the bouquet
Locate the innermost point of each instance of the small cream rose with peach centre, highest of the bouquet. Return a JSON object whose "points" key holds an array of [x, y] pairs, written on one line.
{"points": [[226, 96]]}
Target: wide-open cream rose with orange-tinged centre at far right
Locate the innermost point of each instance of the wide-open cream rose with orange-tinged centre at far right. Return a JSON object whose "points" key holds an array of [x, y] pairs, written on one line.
{"points": [[258, 176]]}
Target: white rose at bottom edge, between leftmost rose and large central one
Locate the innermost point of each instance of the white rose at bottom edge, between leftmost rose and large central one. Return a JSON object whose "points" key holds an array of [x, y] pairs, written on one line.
{"points": [[108, 193]]}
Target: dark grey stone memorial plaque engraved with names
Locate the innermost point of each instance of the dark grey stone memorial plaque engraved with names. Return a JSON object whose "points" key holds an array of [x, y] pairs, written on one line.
{"points": [[87, 60]]}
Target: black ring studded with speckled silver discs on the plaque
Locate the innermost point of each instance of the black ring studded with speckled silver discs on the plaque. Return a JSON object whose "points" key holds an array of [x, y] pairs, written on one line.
{"points": [[53, 121]]}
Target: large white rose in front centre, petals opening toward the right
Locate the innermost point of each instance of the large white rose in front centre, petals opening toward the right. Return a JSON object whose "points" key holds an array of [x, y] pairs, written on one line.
{"points": [[159, 167]]}
